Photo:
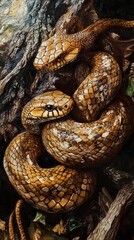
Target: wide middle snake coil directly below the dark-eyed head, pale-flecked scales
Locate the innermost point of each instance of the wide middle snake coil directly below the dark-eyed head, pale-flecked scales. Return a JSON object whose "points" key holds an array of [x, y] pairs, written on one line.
{"points": [[88, 144]]}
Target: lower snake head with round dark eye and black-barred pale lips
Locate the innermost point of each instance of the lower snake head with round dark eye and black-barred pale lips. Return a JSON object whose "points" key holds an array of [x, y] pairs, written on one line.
{"points": [[45, 107]]}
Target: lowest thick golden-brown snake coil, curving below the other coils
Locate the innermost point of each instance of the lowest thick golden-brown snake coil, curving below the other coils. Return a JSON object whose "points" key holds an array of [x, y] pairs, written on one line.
{"points": [[55, 189]]}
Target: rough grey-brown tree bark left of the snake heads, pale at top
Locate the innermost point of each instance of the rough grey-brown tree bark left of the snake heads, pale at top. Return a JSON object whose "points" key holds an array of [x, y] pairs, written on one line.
{"points": [[24, 25]]}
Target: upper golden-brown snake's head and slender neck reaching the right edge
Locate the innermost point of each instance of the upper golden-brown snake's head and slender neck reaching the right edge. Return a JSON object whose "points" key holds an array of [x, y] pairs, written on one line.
{"points": [[63, 48]]}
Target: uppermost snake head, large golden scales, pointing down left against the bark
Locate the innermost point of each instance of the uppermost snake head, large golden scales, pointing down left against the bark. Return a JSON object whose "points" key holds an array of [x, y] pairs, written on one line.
{"points": [[56, 52]]}
